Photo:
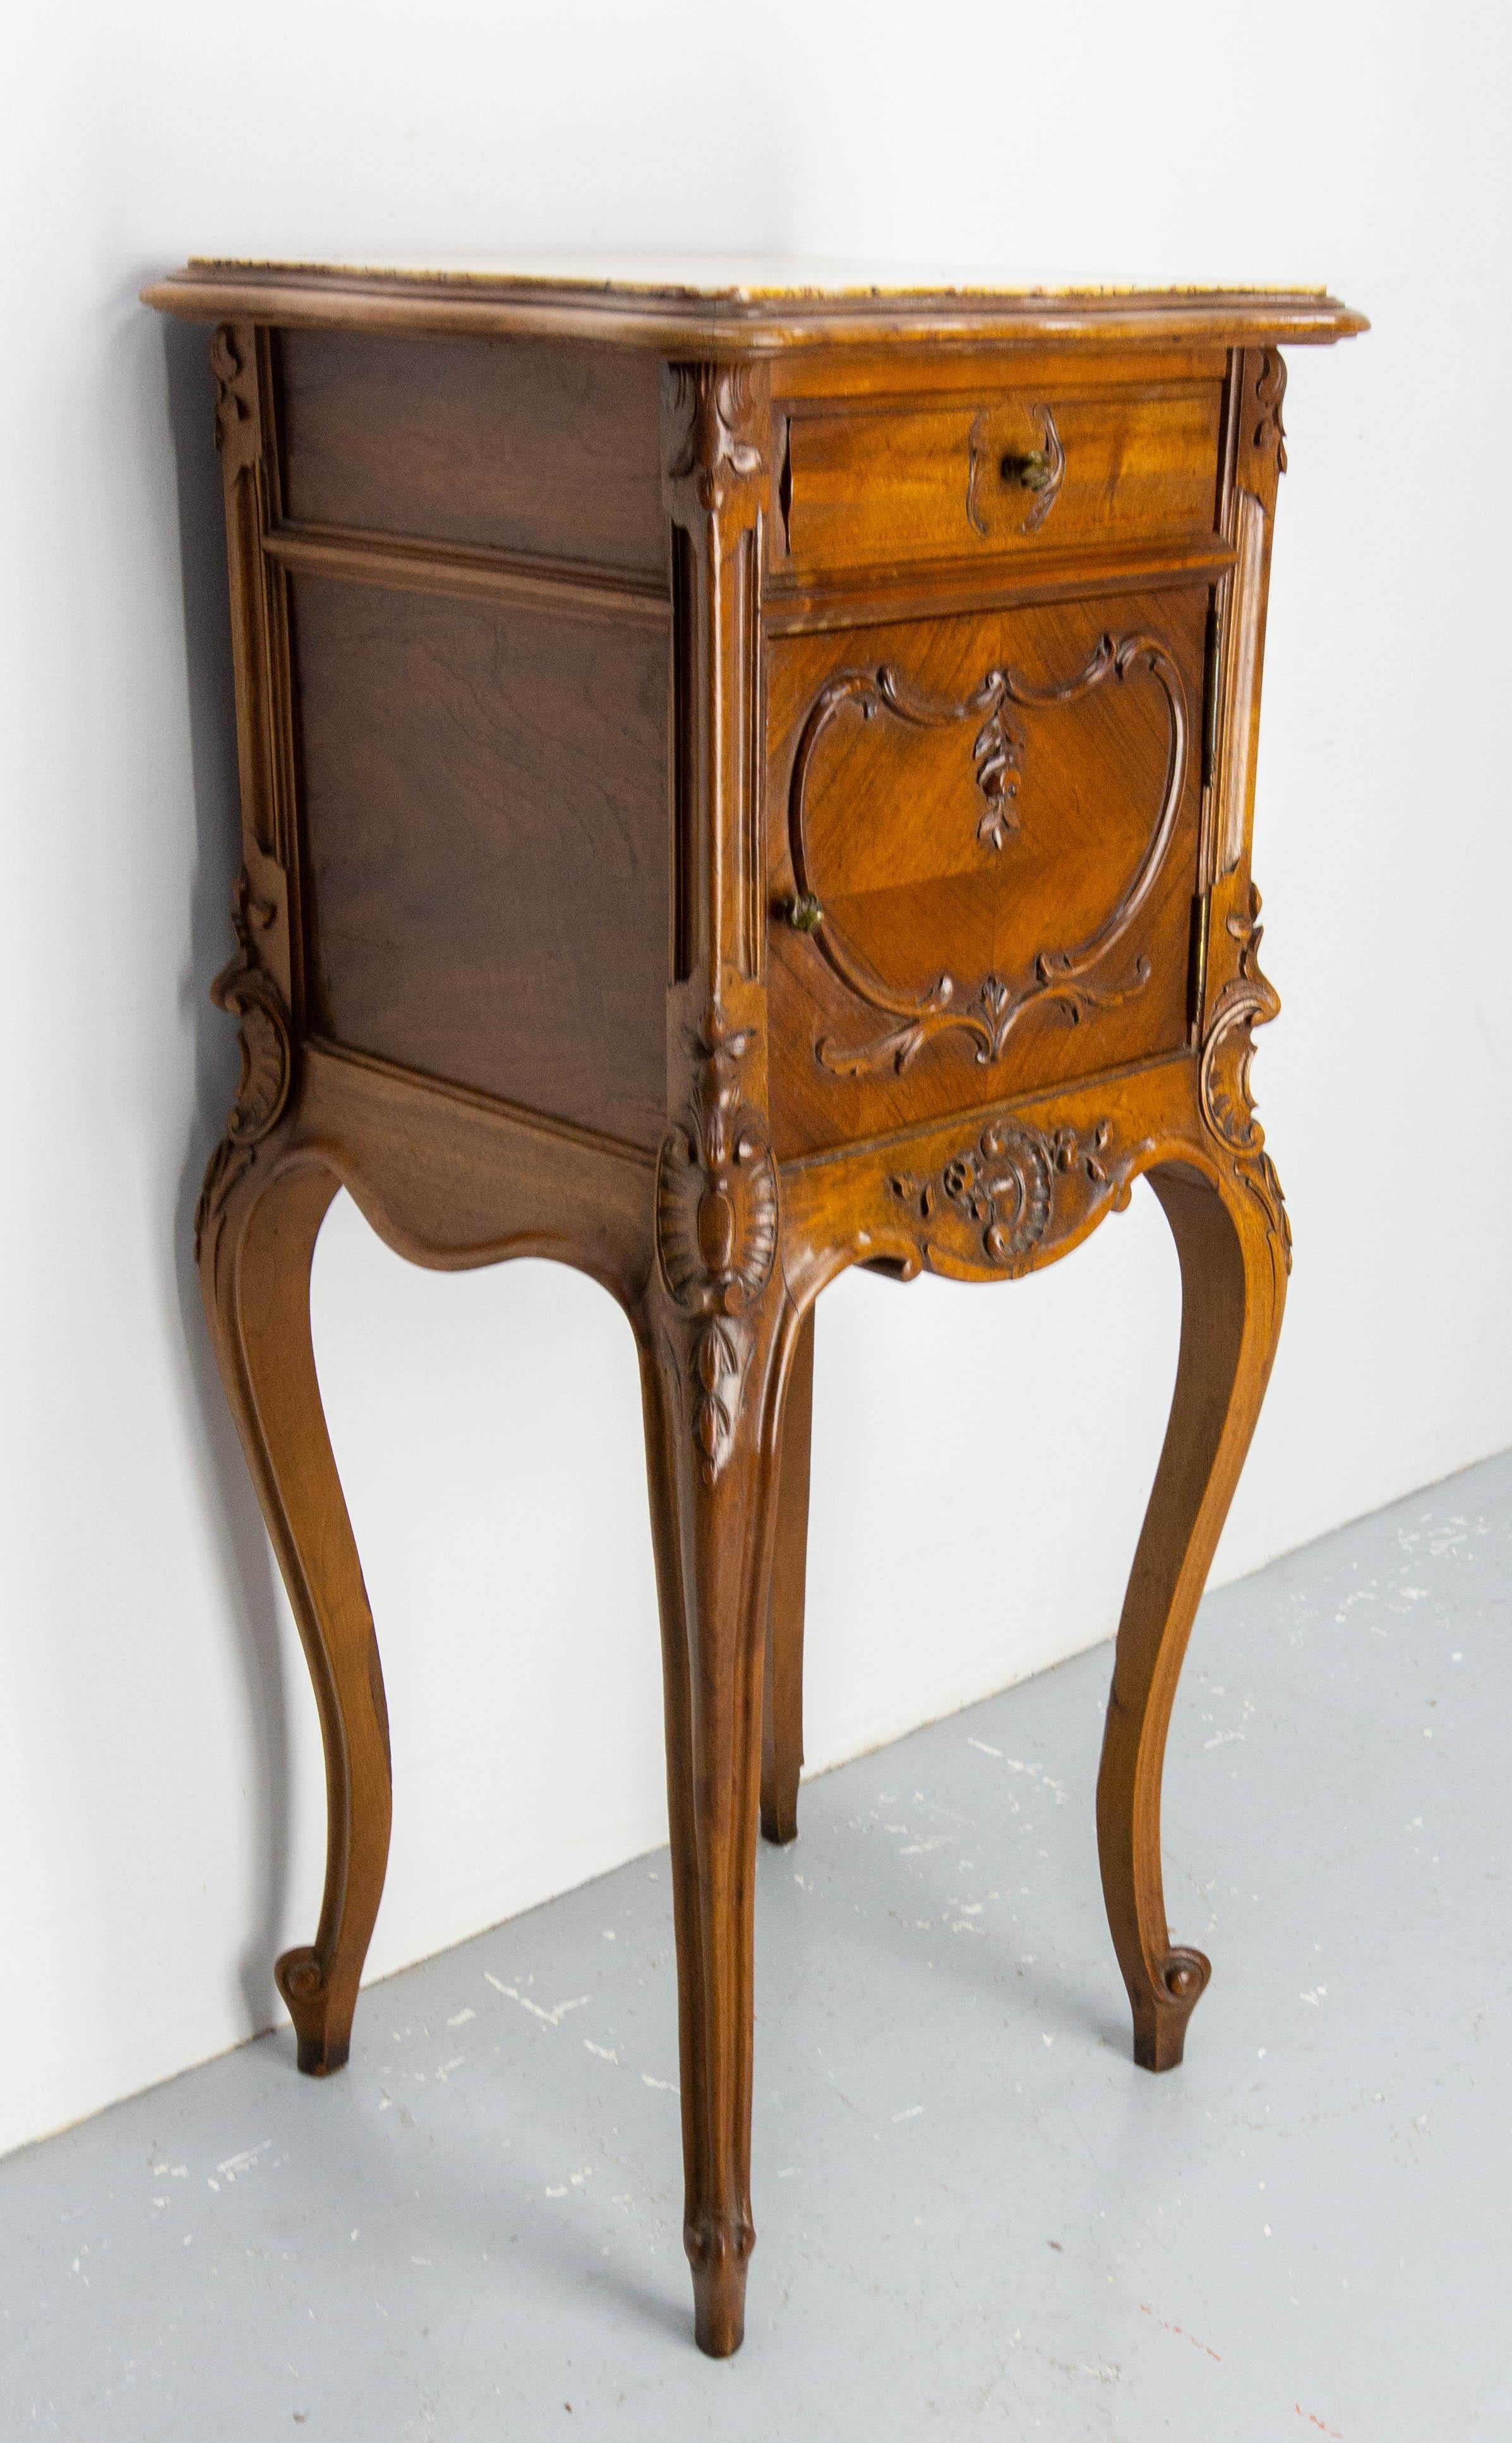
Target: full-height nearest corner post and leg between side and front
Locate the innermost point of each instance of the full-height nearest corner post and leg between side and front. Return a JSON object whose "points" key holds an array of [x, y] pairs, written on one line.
{"points": [[717, 1323]]}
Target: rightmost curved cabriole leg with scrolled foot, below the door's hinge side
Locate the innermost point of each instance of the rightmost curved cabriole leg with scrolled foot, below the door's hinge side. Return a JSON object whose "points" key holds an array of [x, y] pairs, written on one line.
{"points": [[1232, 1306]]}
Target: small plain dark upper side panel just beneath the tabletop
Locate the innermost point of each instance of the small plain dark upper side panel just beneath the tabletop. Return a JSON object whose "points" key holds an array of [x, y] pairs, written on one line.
{"points": [[512, 443]]}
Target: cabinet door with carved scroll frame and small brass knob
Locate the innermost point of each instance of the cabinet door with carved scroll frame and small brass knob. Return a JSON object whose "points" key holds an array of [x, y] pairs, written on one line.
{"points": [[983, 854]]}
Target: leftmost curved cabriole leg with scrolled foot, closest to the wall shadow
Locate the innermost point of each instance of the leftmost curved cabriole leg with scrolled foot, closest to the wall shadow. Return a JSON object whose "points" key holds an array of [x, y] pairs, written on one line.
{"points": [[258, 1240]]}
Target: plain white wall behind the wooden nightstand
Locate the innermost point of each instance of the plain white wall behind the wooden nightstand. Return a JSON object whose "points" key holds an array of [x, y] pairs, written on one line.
{"points": [[160, 1802]]}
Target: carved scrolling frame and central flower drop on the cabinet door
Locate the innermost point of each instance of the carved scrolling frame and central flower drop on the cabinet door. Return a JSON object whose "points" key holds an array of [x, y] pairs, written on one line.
{"points": [[1061, 976]]}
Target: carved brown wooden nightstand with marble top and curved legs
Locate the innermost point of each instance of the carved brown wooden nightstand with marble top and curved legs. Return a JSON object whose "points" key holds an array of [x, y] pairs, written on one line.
{"points": [[741, 781]]}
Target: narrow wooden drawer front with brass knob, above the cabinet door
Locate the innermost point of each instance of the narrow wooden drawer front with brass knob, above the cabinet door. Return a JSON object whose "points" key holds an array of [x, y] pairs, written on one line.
{"points": [[1010, 475]]}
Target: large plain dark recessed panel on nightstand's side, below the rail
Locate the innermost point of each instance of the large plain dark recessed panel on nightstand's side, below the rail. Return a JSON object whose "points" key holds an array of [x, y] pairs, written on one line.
{"points": [[485, 846]]}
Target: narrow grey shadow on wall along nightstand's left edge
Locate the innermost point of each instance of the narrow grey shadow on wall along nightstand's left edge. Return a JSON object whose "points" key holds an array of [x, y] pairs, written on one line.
{"points": [[250, 1584]]}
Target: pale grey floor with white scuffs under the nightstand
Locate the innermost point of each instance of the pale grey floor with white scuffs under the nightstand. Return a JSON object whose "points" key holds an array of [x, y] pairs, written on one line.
{"points": [[976, 2217]]}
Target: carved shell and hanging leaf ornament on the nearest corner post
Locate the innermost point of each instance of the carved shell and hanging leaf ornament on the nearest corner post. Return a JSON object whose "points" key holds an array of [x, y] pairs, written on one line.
{"points": [[717, 1232]]}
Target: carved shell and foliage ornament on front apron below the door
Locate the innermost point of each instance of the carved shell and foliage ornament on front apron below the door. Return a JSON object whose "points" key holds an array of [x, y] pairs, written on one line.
{"points": [[1005, 1196]]}
